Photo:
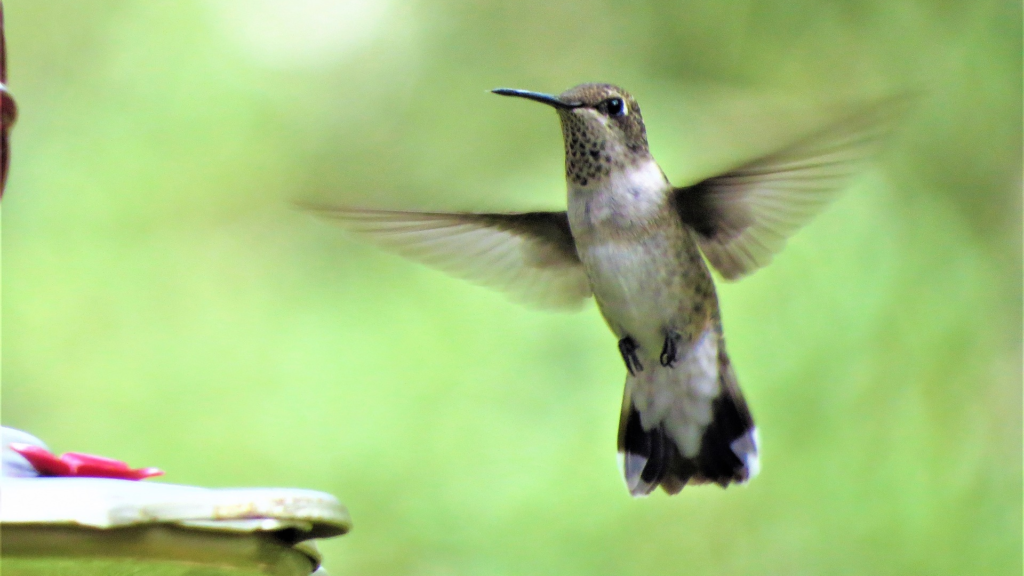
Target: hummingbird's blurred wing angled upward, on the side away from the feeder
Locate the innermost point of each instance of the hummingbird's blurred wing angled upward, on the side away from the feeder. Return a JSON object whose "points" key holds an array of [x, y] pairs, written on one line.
{"points": [[742, 219]]}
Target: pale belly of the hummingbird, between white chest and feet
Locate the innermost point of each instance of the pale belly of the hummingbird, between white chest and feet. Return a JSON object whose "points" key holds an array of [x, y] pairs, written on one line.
{"points": [[639, 286]]}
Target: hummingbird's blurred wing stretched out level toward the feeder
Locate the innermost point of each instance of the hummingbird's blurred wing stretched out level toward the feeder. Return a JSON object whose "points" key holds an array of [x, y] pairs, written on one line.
{"points": [[531, 257]]}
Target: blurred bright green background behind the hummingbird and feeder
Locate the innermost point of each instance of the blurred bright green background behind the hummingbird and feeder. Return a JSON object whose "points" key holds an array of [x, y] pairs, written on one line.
{"points": [[164, 303]]}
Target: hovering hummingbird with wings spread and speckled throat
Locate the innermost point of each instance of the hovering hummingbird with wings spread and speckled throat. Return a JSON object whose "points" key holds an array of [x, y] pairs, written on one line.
{"points": [[642, 249]]}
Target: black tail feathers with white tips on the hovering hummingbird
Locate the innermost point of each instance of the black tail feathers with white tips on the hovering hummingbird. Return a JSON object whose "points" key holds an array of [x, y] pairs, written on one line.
{"points": [[729, 450]]}
